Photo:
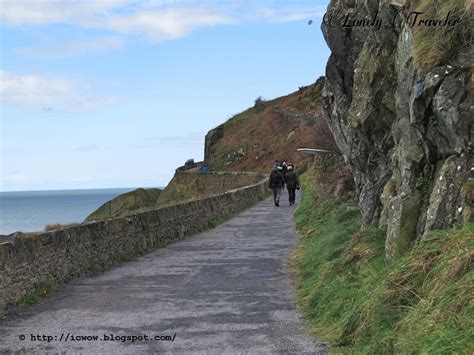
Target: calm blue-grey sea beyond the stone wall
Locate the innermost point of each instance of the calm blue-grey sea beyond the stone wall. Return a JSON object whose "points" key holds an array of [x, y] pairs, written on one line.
{"points": [[30, 211]]}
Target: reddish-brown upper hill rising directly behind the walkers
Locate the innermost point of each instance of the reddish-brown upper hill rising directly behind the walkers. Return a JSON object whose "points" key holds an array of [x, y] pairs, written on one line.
{"points": [[252, 140]]}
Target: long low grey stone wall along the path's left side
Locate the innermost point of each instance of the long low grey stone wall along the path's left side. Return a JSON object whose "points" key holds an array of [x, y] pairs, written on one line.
{"points": [[61, 255]]}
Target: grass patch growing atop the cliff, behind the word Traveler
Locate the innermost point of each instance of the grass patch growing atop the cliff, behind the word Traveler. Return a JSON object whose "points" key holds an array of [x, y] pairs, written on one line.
{"points": [[439, 45]]}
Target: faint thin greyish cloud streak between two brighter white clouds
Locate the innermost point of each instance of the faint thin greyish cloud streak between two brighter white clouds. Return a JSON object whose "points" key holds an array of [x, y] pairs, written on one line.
{"points": [[73, 48]]}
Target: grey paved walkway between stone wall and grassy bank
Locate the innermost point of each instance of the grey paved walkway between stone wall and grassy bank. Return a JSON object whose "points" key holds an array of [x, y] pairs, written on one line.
{"points": [[226, 290]]}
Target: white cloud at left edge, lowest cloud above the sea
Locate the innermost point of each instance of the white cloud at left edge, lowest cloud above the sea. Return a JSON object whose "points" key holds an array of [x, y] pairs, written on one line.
{"points": [[34, 91]]}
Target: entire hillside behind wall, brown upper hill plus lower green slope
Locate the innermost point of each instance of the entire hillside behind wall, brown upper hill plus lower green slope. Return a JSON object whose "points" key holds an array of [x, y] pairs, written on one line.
{"points": [[250, 141]]}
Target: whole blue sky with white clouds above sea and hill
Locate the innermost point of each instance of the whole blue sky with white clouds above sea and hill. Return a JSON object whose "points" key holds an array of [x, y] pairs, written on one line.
{"points": [[119, 93]]}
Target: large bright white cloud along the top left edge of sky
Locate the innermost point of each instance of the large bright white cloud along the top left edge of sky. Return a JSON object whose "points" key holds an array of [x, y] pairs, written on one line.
{"points": [[158, 20]]}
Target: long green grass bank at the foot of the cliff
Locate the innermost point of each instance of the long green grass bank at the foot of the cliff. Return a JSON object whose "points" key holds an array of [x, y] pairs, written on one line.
{"points": [[419, 303]]}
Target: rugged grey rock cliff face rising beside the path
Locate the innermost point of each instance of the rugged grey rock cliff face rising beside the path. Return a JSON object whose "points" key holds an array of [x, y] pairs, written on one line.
{"points": [[405, 132]]}
